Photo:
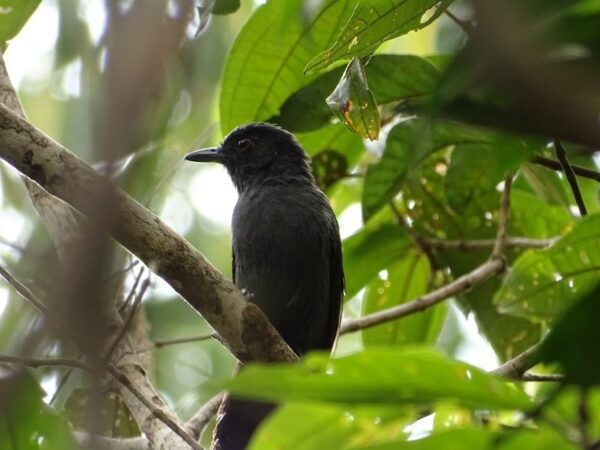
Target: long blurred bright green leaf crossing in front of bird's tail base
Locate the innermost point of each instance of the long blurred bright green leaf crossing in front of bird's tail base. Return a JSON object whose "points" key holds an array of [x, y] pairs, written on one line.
{"points": [[378, 376]]}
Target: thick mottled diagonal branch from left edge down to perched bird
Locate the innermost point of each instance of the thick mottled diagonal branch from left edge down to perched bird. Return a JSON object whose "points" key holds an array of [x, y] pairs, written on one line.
{"points": [[241, 325]]}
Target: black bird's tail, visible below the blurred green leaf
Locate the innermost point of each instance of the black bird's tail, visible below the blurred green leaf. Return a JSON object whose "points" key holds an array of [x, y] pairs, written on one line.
{"points": [[237, 420]]}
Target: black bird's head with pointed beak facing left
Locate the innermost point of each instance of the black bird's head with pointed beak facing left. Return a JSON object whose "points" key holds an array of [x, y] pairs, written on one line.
{"points": [[257, 153]]}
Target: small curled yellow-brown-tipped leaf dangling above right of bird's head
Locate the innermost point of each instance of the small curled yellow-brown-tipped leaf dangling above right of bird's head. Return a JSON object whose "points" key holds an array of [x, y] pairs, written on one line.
{"points": [[353, 103]]}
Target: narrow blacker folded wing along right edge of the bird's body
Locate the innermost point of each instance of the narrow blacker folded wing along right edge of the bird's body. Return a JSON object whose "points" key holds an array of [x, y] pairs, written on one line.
{"points": [[336, 289]]}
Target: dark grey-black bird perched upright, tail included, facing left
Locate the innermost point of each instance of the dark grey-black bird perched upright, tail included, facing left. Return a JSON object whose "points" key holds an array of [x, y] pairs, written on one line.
{"points": [[287, 253]]}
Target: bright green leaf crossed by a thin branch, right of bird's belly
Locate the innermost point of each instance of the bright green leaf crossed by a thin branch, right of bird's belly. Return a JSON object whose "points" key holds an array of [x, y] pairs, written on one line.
{"points": [[405, 280]]}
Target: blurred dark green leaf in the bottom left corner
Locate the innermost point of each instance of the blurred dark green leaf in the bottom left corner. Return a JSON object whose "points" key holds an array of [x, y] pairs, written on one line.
{"points": [[26, 423]]}
